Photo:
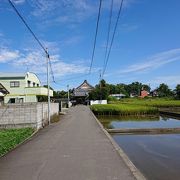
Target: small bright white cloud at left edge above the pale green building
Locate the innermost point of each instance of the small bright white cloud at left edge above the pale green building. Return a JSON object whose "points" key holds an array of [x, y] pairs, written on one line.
{"points": [[7, 55]]}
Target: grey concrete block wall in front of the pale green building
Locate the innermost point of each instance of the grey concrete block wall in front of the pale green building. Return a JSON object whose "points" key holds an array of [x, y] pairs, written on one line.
{"points": [[26, 115]]}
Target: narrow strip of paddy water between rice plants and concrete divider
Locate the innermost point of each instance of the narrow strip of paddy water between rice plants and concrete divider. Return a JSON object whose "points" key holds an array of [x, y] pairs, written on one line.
{"points": [[116, 122]]}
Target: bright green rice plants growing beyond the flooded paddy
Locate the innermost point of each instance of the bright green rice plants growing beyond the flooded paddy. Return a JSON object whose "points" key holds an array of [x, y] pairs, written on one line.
{"points": [[135, 106]]}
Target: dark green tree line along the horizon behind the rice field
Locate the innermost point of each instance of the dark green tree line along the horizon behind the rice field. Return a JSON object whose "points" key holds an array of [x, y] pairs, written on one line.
{"points": [[104, 89]]}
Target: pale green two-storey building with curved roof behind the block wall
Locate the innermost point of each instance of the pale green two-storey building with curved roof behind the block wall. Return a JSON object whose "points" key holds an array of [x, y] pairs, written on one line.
{"points": [[24, 87]]}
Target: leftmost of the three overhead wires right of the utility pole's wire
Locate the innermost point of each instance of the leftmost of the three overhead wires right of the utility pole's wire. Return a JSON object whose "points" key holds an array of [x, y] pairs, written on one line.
{"points": [[95, 38]]}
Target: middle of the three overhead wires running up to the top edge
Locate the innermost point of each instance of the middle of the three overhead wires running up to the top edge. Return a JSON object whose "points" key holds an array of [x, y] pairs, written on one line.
{"points": [[109, 29]]}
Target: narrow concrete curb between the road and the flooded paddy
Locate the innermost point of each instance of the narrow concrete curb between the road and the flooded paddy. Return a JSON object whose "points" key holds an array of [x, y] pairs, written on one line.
{"points": [[136, 172]]}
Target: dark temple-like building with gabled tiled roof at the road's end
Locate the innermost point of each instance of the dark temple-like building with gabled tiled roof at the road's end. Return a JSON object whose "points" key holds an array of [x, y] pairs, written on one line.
{"points": [[81, 93]]}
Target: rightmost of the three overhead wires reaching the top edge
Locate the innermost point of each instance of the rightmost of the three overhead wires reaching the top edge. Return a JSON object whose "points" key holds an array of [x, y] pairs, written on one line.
{"points": [[114, 32]]}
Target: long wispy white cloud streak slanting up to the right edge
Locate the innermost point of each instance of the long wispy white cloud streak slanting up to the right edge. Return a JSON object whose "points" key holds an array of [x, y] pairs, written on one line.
{"points": [[154, 62]]}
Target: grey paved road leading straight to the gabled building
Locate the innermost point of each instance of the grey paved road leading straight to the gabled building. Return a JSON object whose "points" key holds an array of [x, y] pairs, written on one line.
{"points": [[73, 149]]}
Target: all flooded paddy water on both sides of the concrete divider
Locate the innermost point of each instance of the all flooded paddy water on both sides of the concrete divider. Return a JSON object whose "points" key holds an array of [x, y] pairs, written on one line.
{"points": [[156, 156]]}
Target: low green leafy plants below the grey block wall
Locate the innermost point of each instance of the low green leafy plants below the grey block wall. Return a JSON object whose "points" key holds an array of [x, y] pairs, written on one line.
{"points": [[10, 138]]}
